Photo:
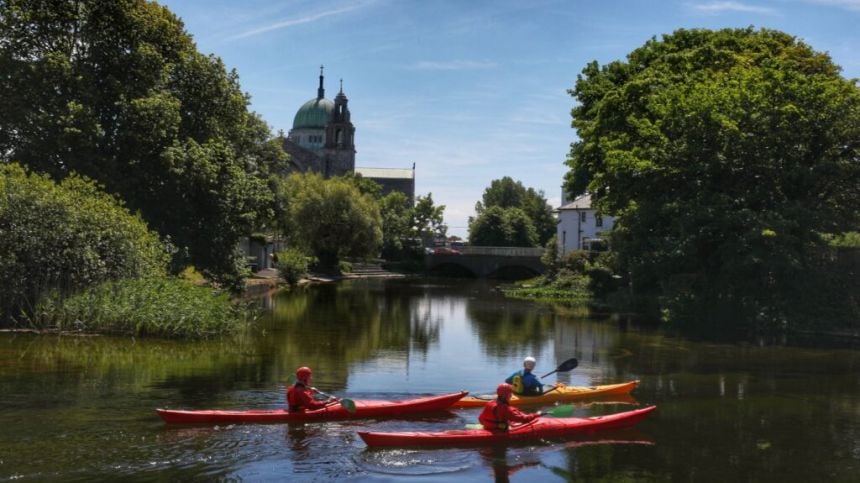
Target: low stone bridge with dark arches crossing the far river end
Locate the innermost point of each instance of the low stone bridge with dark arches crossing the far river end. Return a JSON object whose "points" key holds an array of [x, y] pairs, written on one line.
{"points": [[489, 262]]}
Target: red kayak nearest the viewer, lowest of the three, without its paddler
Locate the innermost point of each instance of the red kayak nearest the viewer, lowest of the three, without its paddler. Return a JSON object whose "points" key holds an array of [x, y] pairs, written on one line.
{"points": [[545, 427]]}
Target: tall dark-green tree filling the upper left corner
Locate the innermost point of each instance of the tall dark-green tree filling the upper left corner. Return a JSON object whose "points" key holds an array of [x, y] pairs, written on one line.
{"points": [[117, 91]]}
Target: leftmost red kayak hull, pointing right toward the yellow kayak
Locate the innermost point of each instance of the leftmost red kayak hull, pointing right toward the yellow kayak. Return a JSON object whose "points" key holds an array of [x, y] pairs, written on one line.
{"points": [[363, 409]]}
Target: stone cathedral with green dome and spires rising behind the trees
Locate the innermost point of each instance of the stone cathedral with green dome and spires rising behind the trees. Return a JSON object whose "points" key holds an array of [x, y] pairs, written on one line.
{"points": [[322, 140]]}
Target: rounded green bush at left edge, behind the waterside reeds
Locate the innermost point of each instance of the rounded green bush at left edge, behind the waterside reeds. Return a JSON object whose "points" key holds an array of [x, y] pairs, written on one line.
{"points": [[63, 237]]}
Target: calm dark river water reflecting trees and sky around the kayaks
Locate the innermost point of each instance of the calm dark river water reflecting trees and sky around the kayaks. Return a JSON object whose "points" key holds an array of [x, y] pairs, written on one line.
{"points": [[82, 408]]}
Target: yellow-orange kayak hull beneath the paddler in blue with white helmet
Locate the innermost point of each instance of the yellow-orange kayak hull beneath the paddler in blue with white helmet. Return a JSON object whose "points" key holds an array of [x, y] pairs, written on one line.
{"points": [[561, 393]]}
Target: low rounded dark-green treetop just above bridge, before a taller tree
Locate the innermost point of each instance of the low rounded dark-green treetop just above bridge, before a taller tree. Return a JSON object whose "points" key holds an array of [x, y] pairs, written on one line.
{"points": [[502, 227]]}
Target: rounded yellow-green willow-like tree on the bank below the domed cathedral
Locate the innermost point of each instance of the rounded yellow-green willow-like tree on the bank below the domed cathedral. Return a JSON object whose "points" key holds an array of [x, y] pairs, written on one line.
{"points": [[331, 219]]}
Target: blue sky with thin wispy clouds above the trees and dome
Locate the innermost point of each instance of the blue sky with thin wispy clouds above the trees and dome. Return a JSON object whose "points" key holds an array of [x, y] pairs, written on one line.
{"points": [[470, 91]]}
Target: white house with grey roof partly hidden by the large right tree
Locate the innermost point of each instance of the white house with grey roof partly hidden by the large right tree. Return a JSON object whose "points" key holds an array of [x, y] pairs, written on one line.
{"points": [[579, 225]]}
